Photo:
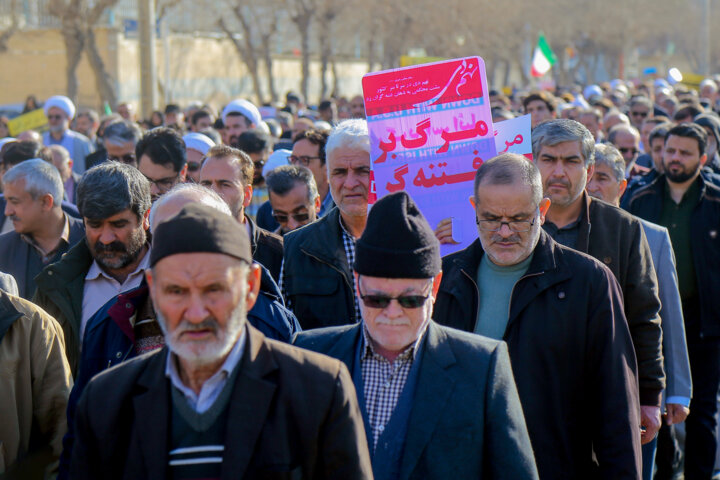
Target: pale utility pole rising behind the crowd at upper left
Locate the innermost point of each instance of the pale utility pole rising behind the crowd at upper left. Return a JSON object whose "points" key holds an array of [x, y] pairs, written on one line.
{"points": [[148, 70]]}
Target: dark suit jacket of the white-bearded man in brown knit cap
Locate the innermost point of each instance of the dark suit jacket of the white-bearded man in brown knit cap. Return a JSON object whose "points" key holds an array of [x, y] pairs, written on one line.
{"points": [[293, 414]]}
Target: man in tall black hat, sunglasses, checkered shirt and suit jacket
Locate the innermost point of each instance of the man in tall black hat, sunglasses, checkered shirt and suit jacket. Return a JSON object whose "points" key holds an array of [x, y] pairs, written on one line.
{"points": [[436, 403]]}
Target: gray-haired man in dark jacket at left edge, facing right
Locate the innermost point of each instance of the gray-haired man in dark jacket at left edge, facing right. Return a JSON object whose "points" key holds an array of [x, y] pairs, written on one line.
{"points": [[43, 232]]}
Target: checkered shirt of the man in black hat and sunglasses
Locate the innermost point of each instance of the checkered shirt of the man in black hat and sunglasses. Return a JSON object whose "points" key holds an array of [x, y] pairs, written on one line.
{"points": [[383, 382]]}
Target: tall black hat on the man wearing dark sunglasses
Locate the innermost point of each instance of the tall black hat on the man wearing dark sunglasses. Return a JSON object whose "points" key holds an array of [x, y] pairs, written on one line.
{"points": [[397, 242]]}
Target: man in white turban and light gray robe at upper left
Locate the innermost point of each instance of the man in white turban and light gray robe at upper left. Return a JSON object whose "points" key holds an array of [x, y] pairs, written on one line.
{"points": [[60, 111]]}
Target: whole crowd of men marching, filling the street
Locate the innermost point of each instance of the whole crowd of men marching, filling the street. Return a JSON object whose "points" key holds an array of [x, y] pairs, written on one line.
{"points": [[207, 295]]}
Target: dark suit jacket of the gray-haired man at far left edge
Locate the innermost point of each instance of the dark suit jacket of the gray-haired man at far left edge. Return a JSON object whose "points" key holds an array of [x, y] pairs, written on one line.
{"points": [[15, 254]]}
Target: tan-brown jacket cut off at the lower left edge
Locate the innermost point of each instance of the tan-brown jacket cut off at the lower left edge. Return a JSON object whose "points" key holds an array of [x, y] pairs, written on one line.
{"points": [[35, 383]]}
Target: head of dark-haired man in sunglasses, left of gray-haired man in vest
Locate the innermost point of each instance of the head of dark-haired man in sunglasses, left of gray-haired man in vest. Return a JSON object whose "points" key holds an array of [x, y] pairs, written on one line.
{"points": [[293, 196]]}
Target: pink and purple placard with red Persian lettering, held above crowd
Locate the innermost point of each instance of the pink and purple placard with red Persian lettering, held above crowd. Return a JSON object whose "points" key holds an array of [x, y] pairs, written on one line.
{"points": [[430, 130]]}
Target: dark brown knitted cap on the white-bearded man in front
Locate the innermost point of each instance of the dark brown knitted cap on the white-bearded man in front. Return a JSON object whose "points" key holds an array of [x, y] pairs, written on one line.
{"points": [[200, 228]]}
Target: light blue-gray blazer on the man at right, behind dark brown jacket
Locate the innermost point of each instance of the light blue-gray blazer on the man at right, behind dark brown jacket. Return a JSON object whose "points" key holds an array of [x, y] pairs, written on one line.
{"points": [[677, 365]]}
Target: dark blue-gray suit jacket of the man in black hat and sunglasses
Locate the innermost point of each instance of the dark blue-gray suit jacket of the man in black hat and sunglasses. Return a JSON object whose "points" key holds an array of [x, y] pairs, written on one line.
{"points": [[466, 420]]}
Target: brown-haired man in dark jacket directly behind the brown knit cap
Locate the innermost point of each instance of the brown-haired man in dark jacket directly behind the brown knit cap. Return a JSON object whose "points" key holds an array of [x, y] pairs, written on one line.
{"points": [[229, 172]]}
